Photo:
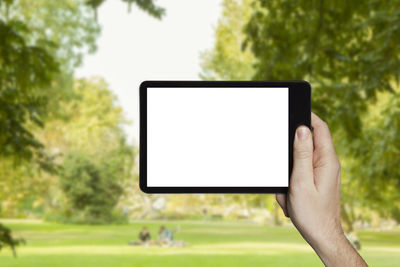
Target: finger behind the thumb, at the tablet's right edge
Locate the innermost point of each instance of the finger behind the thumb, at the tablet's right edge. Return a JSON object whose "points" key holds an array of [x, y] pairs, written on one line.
{"points": [[322, 137]]}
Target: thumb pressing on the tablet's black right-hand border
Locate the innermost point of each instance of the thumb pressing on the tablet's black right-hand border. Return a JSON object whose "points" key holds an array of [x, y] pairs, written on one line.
{"points": [[302, 156]]}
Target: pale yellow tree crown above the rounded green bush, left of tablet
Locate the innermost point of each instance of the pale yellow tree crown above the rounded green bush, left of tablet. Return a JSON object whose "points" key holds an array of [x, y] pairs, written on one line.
{"points": [[90, 119]]}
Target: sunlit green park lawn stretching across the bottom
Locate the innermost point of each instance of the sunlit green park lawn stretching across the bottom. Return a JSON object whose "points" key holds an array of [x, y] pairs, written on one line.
{"points": [[210, 244]]}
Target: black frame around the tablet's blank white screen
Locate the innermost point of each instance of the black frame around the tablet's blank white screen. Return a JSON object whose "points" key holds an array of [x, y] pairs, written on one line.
{"points": [[299, 114]]}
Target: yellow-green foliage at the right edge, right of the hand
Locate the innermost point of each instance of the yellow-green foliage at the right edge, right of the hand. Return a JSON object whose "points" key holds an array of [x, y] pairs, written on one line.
{"points": [[380, 183]]}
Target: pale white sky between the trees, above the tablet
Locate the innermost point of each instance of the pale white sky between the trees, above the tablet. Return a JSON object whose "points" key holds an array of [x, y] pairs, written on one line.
{"points": [[134, 47]]}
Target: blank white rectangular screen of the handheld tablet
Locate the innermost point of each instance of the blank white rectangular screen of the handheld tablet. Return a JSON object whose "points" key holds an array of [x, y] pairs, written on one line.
{"points": [[217, 137]]}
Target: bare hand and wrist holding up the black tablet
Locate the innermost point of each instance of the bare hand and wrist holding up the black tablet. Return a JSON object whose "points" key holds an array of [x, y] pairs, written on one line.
{"points": [[313, 199]]}
